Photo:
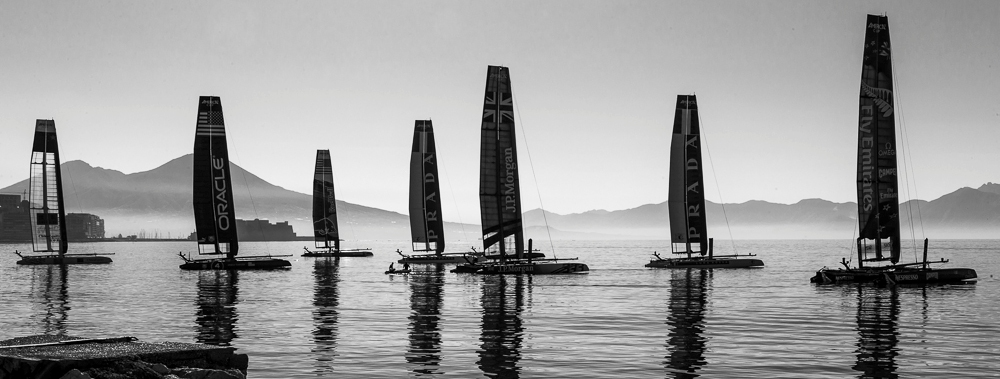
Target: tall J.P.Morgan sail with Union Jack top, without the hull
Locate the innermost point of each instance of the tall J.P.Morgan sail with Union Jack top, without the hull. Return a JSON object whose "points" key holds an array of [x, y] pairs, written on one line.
{"points": [[499, 186]]}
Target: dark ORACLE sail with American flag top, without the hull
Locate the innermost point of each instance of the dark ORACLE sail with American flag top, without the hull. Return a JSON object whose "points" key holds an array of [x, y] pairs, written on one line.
{"points": [[214, 216]]}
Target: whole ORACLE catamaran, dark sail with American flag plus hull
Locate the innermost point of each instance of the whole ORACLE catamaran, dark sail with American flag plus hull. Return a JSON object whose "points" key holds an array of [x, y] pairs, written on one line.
{"points": [[214, 210]]}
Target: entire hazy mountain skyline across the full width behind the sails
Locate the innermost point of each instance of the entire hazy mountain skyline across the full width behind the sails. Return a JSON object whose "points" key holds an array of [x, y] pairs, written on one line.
{"points": [[158, 201]]}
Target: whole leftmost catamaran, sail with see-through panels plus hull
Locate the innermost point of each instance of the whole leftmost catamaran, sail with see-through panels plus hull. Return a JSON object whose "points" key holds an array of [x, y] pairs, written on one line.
{"points": [[48, 213]]}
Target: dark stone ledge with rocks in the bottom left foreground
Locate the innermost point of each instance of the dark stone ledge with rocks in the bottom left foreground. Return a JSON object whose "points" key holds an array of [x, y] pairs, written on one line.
{"points": [[59, 357]]}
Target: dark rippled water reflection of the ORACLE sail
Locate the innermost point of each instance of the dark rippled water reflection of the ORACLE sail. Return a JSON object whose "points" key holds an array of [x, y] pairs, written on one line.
{"points": [[216, 314]]}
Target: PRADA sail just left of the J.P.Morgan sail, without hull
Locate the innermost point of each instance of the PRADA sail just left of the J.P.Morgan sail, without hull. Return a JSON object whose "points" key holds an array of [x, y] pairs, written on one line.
{"points": [[426, 225]]}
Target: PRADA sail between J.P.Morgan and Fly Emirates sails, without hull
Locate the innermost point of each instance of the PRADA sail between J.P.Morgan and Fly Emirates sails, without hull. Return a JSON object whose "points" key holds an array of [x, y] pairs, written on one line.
{"points": [[686, 198]]}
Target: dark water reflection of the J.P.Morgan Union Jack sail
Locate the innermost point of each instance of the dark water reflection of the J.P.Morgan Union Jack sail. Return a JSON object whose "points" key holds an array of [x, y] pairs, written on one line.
{"points": [[503, 301]]}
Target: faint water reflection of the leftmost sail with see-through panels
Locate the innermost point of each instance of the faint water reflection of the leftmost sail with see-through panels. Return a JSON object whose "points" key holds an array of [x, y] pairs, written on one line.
{"points": [[52, 290]]}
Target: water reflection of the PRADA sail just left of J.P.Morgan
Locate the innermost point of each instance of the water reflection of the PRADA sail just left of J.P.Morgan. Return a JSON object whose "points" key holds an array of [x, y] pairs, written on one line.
{"points": [[426, 297]]}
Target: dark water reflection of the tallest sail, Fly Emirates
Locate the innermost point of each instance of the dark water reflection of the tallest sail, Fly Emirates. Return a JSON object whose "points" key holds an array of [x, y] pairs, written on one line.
{"points": [[878, 331]]}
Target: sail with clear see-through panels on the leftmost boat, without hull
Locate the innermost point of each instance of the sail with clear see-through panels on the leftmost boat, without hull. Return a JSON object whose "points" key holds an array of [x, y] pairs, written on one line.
{"points": [[48, 217]]}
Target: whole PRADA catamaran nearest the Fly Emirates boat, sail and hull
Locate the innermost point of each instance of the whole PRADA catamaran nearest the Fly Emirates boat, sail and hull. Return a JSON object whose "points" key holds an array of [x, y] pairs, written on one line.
{"points": [[686, 199]]}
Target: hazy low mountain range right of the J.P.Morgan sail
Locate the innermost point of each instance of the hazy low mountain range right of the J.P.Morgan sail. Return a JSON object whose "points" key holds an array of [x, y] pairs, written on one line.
{"points": [[965, 213]]}
